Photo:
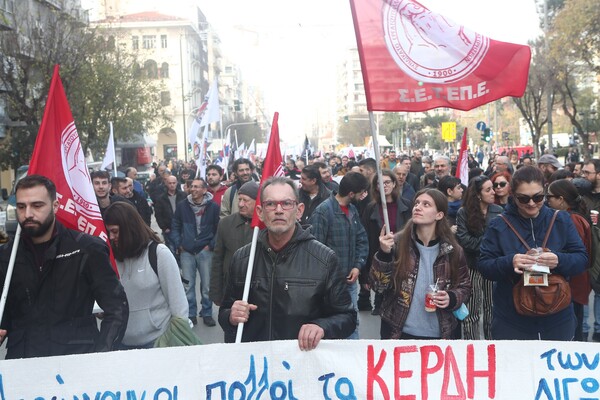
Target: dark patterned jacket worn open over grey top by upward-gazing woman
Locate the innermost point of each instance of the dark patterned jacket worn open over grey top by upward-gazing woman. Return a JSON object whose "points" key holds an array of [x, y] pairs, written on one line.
{"points": [[395, 306]]}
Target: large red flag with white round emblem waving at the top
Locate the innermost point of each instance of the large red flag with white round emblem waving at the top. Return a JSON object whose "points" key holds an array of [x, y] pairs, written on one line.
{"points": [[414, 59]]}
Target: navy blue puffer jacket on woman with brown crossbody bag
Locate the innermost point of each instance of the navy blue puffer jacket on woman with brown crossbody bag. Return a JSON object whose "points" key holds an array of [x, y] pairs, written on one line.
{"points": [[500, 244]]}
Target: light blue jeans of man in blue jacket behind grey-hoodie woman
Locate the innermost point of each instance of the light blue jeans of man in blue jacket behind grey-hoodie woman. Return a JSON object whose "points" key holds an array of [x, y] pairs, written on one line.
{"points": [[189, 264]]}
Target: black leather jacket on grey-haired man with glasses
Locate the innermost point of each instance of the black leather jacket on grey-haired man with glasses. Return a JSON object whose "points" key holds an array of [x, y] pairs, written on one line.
{"points": [[300, 284]]}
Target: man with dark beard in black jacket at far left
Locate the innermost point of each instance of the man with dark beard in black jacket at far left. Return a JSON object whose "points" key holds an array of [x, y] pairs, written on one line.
{"points": [[58, 274]]}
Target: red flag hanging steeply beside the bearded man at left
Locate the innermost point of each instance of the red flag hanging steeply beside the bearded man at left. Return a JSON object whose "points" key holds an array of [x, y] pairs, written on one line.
{"points": [[57, 155]]}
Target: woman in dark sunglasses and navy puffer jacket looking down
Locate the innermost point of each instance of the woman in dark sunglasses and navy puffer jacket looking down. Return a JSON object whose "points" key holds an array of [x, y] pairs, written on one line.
{"points": [[504, 259]]}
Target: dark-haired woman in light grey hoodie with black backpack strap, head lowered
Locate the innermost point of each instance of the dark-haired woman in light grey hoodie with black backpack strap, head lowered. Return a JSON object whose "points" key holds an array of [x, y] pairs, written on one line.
{"points": [[154, 296]]}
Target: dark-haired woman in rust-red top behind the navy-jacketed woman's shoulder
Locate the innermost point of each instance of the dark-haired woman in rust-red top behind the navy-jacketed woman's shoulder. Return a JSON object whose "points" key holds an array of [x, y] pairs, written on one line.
{"points": [[563, 195]]}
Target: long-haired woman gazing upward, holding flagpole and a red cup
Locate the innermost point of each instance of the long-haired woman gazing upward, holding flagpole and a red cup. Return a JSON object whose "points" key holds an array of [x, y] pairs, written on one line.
{"points": [[426, 278]]}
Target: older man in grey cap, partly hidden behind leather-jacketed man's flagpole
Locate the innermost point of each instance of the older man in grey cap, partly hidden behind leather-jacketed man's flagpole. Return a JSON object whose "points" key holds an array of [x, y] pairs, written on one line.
{"points": [[234, 231]]}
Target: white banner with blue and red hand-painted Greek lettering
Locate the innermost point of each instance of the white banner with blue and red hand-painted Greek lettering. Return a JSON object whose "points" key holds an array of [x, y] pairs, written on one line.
{"points": [[365, 369]]}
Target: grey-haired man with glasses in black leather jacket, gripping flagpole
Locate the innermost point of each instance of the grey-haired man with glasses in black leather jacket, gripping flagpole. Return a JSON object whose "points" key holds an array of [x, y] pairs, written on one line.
{"points": [[298, 289]]}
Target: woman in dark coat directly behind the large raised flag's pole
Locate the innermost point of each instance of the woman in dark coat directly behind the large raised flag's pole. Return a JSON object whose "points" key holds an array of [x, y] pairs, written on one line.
{"points": [[399, 212]]}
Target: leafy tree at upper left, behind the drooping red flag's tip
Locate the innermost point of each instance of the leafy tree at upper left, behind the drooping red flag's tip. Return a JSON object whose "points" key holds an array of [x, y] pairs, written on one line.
{"points": [[99, 81]]}
